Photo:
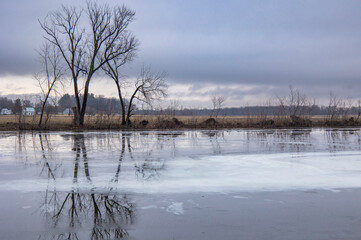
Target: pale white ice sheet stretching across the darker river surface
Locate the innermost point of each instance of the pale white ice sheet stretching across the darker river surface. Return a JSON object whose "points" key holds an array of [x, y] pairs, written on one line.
{"points": [[222, 173]]}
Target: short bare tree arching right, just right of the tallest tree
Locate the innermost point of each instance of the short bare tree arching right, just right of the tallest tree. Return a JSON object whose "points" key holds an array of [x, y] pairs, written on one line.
{"points": [[148, 87]]}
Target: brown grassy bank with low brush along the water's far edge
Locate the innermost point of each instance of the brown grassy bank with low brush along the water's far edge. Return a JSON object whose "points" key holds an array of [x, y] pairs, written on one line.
{"points": [[61, 122]]}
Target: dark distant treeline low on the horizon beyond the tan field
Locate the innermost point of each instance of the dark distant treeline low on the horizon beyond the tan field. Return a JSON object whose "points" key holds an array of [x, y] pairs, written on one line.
{"points": [[110, 106]]}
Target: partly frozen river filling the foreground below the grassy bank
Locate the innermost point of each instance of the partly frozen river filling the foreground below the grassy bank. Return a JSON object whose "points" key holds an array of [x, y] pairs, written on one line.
{"points": [[246, 184]]}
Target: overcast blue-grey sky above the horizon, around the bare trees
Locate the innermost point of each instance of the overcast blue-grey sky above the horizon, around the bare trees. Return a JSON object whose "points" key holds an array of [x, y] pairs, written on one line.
{"points": [[246, 51]]}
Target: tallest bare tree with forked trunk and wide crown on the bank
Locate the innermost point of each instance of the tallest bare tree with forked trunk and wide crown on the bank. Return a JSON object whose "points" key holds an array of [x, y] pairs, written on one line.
{"points": [[86, 49]]}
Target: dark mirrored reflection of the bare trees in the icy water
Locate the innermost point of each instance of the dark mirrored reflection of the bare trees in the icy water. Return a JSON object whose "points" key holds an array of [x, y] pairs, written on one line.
{"points": [[104, 211]]}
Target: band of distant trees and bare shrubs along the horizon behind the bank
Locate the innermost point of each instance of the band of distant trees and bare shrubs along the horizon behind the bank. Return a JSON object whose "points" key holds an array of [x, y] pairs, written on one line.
{"points": [[294, 104]]}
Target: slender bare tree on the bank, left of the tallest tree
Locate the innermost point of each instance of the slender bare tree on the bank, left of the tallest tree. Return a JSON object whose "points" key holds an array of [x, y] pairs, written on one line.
{"points": [[51, 74]]}
